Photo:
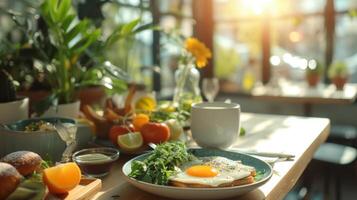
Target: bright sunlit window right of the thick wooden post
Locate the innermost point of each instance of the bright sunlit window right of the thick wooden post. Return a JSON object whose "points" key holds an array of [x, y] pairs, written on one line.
{"points": [[296, 32]]}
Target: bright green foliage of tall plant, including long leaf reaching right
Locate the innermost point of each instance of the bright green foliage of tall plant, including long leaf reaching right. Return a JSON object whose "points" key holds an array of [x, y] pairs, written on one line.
{"points": [[80, 59]]}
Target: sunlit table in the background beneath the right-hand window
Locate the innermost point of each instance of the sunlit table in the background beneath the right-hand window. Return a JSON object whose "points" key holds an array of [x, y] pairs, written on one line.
{"points": [[302, 94]]}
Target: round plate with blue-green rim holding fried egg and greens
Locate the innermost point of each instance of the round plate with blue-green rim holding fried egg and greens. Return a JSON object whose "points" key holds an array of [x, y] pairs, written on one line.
{"points": [[204, 193]]}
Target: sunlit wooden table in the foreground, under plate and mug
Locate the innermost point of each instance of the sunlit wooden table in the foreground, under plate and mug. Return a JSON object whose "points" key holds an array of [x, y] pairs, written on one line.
{"points": [[288, 134]]}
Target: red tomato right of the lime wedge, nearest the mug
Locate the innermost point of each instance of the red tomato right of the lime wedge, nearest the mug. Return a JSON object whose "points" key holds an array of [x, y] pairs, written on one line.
{"points": [[155, 132]]}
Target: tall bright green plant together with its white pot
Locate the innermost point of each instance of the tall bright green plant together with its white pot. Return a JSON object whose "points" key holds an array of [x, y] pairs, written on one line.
{"points": [[71, 37]]}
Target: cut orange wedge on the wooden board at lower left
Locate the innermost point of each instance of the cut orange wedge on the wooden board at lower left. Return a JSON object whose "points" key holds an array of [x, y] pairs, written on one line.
{"points": [[62, 178]]}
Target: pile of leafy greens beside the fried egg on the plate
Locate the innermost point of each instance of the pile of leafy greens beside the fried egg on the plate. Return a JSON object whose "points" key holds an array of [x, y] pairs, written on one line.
{"points": [[161, 164]]}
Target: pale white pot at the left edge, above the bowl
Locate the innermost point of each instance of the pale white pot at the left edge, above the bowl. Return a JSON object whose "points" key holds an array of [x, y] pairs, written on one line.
{"points": [[14, 110]]}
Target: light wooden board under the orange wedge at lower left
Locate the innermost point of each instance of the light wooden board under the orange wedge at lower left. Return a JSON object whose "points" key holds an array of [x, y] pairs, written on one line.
{"points": [[86, 189]]}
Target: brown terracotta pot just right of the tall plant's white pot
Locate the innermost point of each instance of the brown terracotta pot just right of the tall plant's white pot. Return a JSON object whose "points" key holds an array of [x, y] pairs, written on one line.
{"points": [[92, 95]]}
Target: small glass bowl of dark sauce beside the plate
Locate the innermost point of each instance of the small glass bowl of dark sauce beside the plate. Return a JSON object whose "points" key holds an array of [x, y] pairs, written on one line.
{"points": [[95, 165]]}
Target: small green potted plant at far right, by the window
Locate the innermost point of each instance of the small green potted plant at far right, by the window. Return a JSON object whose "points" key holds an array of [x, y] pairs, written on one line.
{"points": [[338, 74]]}
